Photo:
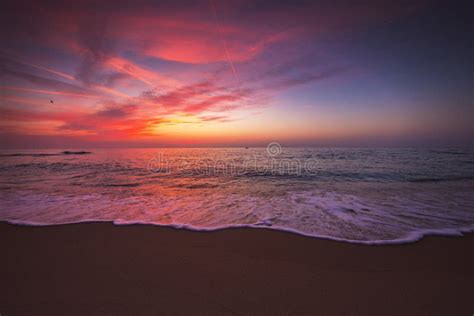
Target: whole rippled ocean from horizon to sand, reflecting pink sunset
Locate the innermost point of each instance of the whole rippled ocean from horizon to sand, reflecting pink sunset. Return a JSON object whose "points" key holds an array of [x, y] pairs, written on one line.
{"points": [[361, 195]]}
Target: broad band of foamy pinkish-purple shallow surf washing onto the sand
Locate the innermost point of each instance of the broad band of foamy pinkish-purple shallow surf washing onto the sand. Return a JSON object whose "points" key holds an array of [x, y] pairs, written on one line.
{"points": [[317, 214]]}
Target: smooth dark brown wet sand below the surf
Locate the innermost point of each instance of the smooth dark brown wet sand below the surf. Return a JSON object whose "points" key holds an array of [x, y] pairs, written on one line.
{"points": [[99, 268]]}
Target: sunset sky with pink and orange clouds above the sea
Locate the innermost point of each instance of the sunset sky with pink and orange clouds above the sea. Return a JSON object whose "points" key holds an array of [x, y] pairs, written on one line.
{"points": [[235, 73]]}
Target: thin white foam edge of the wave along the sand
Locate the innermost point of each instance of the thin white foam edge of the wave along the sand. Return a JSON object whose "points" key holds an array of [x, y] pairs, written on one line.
{"points": [[411, 237]]}
